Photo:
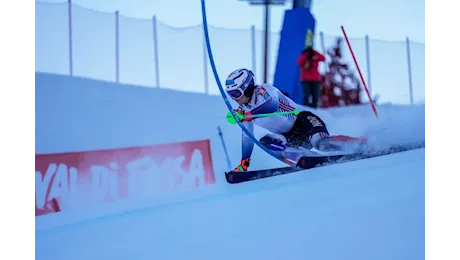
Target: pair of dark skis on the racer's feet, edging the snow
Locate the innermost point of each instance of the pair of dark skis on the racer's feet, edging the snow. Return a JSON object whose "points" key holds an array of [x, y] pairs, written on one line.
{"points": [[301, 160]]}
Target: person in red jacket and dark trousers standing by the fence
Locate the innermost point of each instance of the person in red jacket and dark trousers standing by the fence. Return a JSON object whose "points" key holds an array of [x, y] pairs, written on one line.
{"points": [[310, 77]]}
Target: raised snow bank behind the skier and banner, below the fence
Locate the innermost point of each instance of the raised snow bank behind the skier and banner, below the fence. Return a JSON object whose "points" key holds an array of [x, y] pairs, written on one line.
{"points": [[74, 114]]}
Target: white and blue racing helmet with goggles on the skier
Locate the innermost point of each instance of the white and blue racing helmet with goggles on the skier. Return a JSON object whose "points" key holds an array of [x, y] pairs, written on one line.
{"points": [[239, 83]]}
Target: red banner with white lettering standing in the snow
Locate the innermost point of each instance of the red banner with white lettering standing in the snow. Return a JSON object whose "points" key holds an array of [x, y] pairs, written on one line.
{"points": [[80, 180]]}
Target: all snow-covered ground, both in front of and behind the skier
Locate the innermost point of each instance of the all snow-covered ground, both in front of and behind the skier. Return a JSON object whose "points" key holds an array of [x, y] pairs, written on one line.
{"points": [[368, 209]]}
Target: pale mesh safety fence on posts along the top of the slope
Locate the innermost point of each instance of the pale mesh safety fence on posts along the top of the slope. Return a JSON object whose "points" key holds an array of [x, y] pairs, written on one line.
{"points": [[72, 40]]}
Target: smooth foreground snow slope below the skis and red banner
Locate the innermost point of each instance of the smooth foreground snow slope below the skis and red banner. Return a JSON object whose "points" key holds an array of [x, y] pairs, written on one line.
{"points": [[370, 209]]}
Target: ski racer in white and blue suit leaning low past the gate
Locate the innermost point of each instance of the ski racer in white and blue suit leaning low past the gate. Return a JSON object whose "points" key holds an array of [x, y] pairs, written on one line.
{"points": [[305, 130]]}
